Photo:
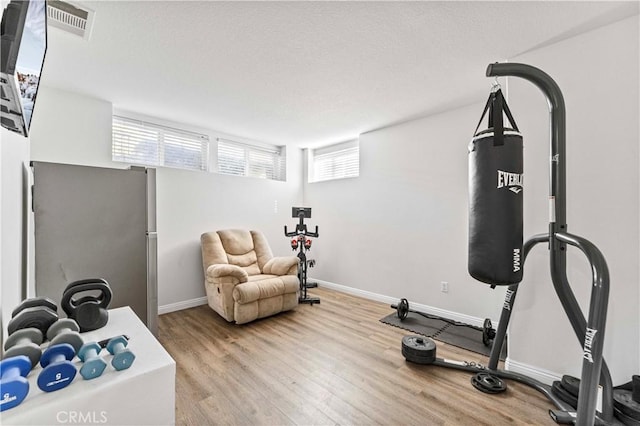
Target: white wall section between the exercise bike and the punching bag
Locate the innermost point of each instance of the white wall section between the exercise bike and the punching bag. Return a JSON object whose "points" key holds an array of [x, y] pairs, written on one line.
{"points": [[400, 228]]}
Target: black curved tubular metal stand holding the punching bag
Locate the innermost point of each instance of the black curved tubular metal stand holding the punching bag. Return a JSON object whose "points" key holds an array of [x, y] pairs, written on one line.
{"points": [[590, 332]]}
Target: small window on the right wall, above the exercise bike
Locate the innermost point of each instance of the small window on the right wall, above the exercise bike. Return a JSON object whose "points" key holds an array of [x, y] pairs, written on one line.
{"points": [[336, 161]]}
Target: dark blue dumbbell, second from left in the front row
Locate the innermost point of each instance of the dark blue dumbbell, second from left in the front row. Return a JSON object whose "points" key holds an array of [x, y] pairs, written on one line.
{"points": [[58, 370]]}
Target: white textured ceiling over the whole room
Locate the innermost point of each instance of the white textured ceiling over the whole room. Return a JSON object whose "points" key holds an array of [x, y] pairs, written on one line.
{"points": [[304, 73]]}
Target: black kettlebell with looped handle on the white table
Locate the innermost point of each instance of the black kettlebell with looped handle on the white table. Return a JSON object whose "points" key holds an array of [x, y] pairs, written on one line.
{"points": [[90, 312]]}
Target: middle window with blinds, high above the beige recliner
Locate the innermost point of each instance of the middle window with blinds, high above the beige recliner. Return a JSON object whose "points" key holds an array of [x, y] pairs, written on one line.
{"points": [[241, 159]]}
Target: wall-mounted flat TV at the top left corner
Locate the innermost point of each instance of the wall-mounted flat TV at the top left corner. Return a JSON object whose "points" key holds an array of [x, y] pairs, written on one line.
{"points": [[24, 45]]}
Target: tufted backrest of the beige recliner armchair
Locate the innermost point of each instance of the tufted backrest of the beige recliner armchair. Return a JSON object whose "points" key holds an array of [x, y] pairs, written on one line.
{"points": [[246, 249]]}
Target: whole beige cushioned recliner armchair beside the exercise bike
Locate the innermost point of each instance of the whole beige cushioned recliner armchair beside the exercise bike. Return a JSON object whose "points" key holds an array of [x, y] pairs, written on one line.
{"points": [[243, 280]]}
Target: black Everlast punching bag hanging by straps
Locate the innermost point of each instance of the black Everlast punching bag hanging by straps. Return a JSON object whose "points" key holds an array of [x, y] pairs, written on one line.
{"points": [[495, 198]]}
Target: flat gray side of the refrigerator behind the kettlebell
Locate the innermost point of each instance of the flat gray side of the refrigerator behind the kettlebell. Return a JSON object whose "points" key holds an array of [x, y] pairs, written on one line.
{"points": [[91, 222]]}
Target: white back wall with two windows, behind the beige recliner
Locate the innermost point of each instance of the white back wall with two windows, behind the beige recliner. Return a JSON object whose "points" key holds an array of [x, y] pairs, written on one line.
{"points": [[76, 129]]}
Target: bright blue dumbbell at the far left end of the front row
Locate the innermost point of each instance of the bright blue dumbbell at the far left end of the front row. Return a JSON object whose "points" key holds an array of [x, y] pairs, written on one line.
{"points": [[14, 386]]}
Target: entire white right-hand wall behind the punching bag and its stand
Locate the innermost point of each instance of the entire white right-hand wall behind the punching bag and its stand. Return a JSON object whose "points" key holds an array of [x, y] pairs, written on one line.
{"points": [[400, 228]]}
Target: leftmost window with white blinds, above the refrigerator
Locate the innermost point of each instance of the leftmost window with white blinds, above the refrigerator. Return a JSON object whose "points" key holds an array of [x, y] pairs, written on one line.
{"points": [[148, 144]]}
